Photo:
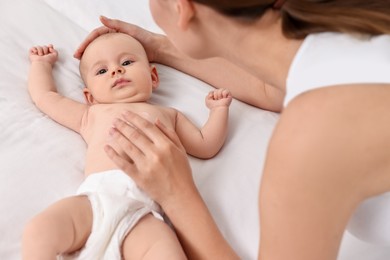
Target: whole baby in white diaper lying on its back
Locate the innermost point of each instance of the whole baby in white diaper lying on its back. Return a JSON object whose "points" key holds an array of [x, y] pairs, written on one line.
{"points": [[110, 218]]}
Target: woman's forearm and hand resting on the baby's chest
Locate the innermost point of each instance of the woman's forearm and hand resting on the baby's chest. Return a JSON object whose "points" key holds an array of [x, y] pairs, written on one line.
{"points": [[159, 165]]}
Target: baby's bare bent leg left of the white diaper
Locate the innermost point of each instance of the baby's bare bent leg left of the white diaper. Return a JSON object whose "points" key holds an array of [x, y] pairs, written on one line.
{"points": [[63, 227]]}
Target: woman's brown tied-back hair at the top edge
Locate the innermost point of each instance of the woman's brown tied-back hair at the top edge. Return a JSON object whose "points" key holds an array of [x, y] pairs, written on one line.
{"points": [[302, 17]]}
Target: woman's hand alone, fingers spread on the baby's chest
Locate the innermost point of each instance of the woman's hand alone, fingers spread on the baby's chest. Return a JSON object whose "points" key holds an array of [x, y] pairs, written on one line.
{"points": [[153, 157]]}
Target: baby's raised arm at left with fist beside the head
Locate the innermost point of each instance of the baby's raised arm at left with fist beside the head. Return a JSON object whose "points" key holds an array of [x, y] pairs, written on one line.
{"points": [[44, 93]]}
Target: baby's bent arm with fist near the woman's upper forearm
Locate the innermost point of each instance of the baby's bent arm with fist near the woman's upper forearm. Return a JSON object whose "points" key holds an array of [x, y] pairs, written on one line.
{"points": [[207, 141]]}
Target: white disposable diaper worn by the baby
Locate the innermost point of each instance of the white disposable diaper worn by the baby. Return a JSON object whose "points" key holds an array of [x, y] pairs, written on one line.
{"points": [[117, 205]]}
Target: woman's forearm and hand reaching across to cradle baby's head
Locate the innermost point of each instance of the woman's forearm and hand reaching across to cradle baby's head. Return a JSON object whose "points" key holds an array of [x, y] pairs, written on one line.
{"points": [[217, 72]]}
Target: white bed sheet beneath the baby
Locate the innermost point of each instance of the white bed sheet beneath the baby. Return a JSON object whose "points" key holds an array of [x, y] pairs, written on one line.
{"points": [[41, 161]]}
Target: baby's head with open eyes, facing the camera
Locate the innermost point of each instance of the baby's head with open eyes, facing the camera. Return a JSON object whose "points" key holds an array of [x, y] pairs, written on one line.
{"points": [[115, 69]]}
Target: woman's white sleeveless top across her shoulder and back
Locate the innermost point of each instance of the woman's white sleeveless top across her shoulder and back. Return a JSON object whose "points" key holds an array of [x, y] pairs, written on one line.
{"points": [[327, 59]]}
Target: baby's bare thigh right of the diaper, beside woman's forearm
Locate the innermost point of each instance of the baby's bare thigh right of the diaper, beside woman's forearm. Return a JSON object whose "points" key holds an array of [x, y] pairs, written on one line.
{"points": [[152, 239]]}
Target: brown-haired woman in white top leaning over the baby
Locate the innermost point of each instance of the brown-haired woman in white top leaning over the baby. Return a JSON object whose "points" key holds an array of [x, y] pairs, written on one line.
{"points": [[331, 147]]}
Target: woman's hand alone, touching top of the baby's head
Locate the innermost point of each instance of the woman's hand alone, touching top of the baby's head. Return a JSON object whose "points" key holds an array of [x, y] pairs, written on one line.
{"points": [[152, 42]]}
